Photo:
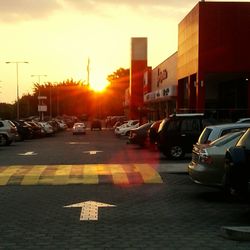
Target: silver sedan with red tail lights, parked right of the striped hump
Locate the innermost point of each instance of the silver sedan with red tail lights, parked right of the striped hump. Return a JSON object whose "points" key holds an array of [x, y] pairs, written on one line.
{"points": [[207, 164]]}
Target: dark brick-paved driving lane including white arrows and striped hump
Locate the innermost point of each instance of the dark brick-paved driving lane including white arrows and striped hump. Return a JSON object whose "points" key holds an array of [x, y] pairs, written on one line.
{"points": [[96, 192]]}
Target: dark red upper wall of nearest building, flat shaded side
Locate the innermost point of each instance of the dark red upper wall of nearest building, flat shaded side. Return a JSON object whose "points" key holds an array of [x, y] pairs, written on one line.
{"points": [[224, 37]]}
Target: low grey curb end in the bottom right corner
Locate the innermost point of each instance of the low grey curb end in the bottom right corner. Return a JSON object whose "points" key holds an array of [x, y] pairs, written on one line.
{"points": [[236, 233]]}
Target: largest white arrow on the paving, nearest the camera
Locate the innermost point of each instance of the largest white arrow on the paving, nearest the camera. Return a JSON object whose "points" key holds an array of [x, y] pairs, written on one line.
{"points": [[89, 209]]}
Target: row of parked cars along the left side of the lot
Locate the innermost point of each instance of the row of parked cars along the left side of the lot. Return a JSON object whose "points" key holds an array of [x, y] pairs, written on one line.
{"points": [[19, 130]]}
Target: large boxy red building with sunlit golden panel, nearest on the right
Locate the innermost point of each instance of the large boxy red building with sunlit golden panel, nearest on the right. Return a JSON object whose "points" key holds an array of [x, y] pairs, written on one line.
{"points": [[213, 68]]}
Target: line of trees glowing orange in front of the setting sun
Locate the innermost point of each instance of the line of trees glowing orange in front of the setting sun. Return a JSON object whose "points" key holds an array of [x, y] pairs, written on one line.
{"points": [[72, 98]]}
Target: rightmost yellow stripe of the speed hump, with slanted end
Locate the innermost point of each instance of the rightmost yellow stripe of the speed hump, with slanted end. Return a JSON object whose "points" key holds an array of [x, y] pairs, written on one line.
{"points": [[148, 173]]}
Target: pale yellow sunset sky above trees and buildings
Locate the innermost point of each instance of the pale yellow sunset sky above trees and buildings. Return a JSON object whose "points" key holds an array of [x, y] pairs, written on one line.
{"points": [[57, 37]]}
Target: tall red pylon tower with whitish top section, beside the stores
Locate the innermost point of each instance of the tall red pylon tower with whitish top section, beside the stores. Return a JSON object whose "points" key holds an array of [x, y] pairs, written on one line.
{"points": [[138, 65]]}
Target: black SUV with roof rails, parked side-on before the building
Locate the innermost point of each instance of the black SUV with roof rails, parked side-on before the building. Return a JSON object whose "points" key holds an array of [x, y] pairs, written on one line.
{"points": [[178, 133]]}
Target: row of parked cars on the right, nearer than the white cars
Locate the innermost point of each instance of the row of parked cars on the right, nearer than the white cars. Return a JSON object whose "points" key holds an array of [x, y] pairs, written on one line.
{"points": [[220, 152]]}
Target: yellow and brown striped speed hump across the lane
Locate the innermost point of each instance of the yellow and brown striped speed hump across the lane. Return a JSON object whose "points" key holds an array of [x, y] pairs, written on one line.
{"points": [[117, 174]]}
